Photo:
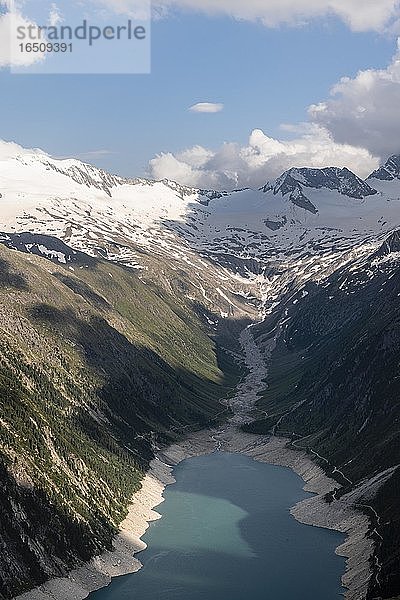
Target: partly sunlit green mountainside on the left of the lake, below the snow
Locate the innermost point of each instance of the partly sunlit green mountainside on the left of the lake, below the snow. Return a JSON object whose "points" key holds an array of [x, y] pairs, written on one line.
{"points": [[95, 364]]}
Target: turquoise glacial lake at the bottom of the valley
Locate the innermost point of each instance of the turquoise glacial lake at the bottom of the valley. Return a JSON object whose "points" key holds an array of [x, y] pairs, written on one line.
{"points": [[227, 534]]}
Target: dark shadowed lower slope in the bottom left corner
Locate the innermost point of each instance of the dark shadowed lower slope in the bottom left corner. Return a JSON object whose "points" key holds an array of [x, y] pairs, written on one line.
{"points": [[46, 542]]}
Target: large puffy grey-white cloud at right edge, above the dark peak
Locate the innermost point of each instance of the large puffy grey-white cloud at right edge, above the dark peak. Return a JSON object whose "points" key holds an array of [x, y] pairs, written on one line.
{"points": [[365, 111]]}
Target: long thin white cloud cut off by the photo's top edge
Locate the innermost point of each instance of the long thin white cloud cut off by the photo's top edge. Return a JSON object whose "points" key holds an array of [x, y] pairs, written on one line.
{"points": [[375, 15]]}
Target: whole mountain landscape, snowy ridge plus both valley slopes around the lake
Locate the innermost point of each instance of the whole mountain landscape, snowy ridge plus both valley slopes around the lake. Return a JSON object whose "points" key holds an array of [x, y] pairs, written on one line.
{"points": [[122, 303]]}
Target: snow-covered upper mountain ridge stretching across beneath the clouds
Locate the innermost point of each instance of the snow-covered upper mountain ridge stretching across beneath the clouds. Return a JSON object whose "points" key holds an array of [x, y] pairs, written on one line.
{"points": [[300, 226]]}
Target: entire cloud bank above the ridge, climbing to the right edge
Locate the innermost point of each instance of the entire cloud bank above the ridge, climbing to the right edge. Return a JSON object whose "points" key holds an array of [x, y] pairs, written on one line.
{"points": [[358, 127]]}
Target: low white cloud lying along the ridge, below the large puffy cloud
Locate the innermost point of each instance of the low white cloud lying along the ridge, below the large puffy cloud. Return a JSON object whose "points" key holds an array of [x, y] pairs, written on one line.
{"points": [[263, 158]]}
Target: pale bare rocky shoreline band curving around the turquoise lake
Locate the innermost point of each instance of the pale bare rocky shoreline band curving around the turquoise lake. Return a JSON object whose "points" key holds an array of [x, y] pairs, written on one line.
{"points": [[338, 515]]}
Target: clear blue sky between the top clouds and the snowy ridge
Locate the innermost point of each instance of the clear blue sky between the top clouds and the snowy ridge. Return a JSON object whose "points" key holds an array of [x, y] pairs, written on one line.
{"points": [[263, 76]]}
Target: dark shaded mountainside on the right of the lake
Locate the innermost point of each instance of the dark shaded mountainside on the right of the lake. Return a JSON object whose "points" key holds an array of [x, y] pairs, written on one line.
{"points": [[335, 388]]}
